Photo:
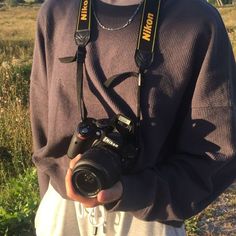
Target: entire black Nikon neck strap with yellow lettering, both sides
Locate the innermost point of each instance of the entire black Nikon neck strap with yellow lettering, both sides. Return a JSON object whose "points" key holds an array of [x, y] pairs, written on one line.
{"points": [[144, 53]]}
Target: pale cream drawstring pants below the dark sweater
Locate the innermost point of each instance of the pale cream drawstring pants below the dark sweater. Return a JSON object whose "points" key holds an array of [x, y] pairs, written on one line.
{"points": [[59, 217]]}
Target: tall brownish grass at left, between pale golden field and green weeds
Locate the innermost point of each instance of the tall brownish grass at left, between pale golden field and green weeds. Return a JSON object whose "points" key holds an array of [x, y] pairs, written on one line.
{"points": [[15, 135]]}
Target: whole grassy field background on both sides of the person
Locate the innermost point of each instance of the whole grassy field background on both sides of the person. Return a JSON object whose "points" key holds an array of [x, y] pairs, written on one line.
{"points": [[18, 181]]}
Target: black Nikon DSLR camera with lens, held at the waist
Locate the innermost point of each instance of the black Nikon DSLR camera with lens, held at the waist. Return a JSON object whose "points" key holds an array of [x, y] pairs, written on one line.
{"points": [[108, 148]]}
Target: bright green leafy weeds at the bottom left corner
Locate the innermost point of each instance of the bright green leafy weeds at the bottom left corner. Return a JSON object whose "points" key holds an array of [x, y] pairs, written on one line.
{"points": [[18, 206]]}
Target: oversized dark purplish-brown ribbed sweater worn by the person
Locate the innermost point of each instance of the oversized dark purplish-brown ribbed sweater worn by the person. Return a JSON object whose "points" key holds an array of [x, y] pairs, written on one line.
{"points": [[187, 136]]}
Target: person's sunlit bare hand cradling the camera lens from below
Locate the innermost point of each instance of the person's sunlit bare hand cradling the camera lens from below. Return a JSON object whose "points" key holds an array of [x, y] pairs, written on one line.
{"points": [[105, 196]]}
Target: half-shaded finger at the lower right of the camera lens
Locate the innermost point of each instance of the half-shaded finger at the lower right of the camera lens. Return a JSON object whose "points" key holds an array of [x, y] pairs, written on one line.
{"points": [[110, 195]]}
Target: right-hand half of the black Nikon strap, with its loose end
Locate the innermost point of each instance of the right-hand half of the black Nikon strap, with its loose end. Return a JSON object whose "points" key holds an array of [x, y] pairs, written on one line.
{"points": [[144, 53]]}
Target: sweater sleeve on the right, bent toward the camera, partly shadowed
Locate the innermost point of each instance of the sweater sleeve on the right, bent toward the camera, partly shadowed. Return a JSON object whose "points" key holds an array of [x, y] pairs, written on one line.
{"points": [[202, 163]]}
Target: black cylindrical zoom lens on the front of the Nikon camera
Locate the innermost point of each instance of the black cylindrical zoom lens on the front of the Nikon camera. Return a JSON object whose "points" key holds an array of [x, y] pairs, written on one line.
{"points": [[96, 170]]}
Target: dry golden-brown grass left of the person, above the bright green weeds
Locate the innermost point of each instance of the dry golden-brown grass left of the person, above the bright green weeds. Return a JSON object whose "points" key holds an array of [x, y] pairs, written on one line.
{"points": [[16, 49]]}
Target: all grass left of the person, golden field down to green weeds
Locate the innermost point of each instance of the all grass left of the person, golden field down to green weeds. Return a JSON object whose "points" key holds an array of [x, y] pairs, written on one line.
{"points": [[17, 206]]}
